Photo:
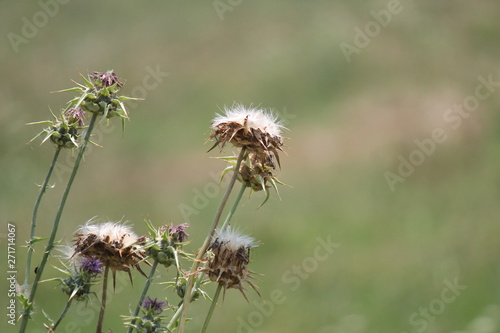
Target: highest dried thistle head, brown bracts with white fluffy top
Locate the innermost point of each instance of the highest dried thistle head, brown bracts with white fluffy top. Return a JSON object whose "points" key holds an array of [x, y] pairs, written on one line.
{"points": [[248, 127]]}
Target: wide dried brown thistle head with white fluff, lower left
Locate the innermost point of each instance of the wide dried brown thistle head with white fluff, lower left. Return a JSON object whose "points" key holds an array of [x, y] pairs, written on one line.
{"points": [[113, 243]]}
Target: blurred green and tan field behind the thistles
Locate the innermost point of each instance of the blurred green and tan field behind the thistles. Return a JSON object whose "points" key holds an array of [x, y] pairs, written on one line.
{"points": [[350, 122]]}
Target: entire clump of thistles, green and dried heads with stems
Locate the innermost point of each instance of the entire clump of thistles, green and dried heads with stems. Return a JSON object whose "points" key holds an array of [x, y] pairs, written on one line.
{"points": [[100, 248]]}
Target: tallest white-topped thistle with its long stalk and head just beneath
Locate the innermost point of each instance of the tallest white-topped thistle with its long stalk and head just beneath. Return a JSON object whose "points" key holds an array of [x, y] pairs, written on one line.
{"points": [[256, 133]]}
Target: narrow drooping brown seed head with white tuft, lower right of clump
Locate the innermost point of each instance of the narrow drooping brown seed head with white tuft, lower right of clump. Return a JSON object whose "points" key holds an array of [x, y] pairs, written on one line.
{"points": [[231, 255]]}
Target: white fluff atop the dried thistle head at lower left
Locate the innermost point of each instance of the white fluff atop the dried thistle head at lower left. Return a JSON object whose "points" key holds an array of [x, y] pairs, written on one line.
{"points": [[114, 230]]}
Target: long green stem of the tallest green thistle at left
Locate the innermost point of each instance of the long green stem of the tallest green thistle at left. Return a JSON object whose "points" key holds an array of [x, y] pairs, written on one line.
{"points": [[50, 245]]}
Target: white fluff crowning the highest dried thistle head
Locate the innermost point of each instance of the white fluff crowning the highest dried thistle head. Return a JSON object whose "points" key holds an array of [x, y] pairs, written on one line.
{"points": [[255, 118]]}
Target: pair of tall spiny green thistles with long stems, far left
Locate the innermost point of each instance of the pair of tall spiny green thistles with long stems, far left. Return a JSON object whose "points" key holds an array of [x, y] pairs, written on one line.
{"points": [[98, 96]]}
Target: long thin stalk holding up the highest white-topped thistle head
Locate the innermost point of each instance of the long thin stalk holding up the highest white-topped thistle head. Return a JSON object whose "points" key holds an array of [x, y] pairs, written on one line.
{"points": [[206, 244]]}
